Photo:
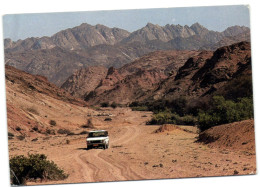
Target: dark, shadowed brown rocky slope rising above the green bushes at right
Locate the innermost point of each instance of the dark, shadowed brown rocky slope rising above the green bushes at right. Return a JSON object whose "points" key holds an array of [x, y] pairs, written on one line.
{"points": [[208, 72]]}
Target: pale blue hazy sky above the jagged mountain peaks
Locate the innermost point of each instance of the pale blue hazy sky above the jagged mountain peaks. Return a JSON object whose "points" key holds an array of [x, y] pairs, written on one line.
{"points": [[218, 18]]}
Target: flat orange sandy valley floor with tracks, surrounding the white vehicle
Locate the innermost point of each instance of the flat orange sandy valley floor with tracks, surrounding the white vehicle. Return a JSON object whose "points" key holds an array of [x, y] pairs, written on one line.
{"points": [[136, 153]]}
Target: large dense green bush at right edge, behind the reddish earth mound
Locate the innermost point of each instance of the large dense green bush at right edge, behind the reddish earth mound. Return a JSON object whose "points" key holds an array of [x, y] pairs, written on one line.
{"points": [[225, 111]]}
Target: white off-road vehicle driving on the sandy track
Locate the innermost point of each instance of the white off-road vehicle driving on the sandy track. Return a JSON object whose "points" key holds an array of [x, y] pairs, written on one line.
{"points": [[98, 138]]}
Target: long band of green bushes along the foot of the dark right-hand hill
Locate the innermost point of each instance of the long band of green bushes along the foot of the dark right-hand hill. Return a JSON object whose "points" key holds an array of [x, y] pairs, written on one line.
{"points": [[217, 111]]}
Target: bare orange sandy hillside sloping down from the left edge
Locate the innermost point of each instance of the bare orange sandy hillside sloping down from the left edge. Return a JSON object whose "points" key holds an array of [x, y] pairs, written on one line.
{"points": [[32, 102]]}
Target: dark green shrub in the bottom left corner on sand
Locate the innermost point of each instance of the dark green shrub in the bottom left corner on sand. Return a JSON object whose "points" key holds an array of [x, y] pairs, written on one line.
{"points": [[33, 167]]}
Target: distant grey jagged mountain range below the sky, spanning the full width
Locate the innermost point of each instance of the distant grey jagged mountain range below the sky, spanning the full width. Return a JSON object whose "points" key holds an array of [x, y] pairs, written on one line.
{"points": [[59, 56]]}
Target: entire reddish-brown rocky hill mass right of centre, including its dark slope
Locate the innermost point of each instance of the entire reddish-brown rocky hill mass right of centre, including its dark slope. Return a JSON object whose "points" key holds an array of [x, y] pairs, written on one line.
{"points": [[171, 74]]}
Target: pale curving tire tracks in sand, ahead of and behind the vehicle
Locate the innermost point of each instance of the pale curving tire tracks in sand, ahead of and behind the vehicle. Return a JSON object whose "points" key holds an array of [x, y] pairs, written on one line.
{"points": [[96, 166]]}
